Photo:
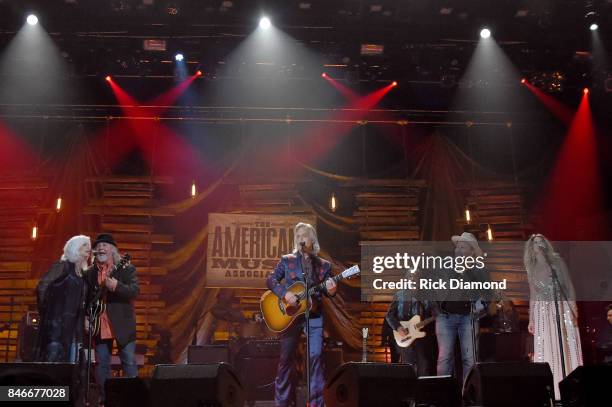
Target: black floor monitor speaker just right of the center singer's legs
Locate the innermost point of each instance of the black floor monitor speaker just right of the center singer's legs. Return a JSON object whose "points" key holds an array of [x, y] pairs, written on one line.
{"points": [[370, 384]]}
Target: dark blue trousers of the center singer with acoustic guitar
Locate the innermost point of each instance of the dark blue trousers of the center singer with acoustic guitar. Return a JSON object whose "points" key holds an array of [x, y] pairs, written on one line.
{"points": [[284, 386]]}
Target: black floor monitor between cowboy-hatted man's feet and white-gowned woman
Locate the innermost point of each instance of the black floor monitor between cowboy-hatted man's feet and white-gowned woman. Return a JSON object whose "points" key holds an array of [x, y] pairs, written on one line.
{"points": [[509, 384]]}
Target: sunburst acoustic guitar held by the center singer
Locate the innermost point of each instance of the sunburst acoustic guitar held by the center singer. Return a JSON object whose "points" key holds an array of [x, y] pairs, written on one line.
{"points": [[279, 315]]}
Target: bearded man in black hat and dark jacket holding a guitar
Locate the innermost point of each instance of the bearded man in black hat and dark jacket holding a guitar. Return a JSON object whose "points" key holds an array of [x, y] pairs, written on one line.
{"points": [[118, 322]]}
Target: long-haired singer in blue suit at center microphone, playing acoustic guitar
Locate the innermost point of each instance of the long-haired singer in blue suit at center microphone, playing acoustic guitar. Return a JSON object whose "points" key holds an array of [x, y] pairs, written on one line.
{"points": [[303, 263]]}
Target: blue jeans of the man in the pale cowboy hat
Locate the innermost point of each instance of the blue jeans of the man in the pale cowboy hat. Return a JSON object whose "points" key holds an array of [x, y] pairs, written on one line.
{"points": [[448, 328]]}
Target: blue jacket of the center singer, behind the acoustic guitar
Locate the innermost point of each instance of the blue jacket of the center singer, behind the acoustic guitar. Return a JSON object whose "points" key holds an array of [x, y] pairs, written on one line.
{"points": [[289, 269]]}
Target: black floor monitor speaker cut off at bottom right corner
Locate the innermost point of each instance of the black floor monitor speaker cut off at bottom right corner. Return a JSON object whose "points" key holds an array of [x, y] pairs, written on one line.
{"points": [[586, 386]]}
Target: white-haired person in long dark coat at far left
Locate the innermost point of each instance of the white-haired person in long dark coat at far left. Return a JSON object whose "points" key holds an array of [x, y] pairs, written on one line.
{"points": [[61, 295]]}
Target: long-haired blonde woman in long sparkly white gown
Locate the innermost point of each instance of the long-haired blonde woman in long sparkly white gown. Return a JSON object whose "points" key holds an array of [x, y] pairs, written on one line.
{"points": [[540, 261]]}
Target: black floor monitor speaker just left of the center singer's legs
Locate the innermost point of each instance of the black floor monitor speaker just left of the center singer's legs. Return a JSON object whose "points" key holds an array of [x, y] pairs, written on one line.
{"points": [[196, 385]]}
